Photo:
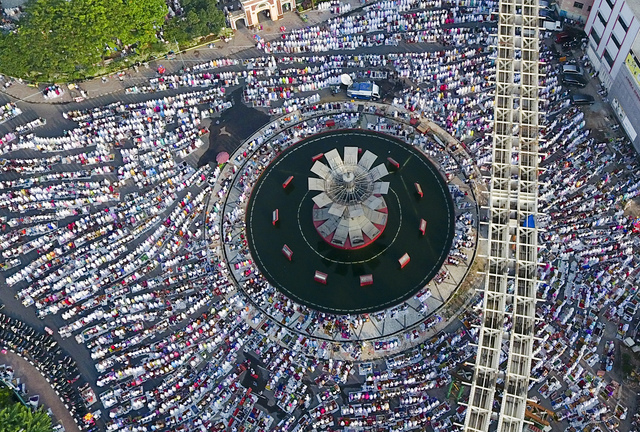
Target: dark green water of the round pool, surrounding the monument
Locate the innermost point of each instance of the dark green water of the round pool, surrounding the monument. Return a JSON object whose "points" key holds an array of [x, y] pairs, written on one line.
{"points": [[342, 293]]}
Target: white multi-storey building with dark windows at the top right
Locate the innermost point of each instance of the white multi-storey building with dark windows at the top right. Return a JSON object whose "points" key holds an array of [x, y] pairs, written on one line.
{"points": [[613, 28]]}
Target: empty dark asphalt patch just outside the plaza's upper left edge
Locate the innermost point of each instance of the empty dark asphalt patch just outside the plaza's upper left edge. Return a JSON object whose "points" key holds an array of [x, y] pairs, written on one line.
{"points": [[236, 125]]}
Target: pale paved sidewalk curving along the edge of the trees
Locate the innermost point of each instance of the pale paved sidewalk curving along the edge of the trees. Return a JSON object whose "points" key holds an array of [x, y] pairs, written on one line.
{"points": [[243, 39]]}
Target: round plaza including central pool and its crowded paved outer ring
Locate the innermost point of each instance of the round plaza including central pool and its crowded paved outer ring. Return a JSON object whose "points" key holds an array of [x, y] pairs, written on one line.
{"points": [[348, 225]]}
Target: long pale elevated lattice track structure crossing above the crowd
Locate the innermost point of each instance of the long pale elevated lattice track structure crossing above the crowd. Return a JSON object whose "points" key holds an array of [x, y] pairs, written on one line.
{"points": [[510, 284]]}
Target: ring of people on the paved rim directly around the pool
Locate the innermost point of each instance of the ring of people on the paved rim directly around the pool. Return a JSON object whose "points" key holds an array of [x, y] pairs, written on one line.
{"points": [[269, 300]]}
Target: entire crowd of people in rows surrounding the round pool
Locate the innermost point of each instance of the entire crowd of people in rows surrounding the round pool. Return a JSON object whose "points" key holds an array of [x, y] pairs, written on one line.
{"points": [[114, 228]]}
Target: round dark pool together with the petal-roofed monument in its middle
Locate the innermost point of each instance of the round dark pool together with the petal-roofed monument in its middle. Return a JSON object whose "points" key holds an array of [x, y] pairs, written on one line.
{"points": [[345, 250]]}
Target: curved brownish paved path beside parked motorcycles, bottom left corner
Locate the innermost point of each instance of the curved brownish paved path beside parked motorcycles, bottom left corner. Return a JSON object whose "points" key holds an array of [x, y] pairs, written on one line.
{"points": [[37, 384]]}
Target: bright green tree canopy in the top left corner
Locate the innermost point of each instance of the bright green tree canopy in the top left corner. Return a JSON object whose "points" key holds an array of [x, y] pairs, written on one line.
{"points": [[57, 38]]}
